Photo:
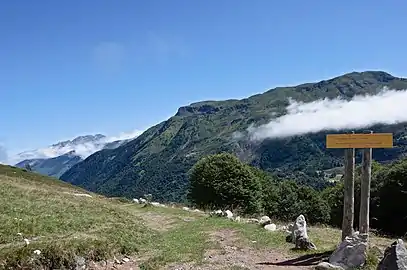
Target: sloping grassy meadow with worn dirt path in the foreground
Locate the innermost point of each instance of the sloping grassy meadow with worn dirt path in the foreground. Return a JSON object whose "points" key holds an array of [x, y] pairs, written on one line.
{"points": [[65, 227]]}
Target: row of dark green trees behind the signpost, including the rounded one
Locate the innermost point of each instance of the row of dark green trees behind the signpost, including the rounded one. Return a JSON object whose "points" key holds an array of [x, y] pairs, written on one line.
{"points": [[223, 181]]}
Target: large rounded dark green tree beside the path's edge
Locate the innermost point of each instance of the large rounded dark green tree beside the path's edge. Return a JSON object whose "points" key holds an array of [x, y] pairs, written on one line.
{"points": [[223, 181]]}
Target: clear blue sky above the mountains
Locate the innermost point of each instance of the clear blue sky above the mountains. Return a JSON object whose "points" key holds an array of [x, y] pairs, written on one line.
{"points": [[75, 67]]}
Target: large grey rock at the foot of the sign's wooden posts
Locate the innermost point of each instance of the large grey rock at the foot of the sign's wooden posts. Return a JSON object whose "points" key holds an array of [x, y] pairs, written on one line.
{"points": [[351, 253]]}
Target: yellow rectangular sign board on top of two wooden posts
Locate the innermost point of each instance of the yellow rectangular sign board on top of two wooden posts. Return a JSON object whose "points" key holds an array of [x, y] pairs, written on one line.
{"points": [[374, 140]]}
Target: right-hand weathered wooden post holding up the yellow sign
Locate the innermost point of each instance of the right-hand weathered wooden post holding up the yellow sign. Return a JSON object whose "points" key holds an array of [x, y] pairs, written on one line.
{"points": [[365, 190]]}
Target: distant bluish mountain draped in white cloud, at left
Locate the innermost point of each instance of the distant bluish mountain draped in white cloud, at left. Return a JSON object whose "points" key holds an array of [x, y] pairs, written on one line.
{"points": [[60, 157]]}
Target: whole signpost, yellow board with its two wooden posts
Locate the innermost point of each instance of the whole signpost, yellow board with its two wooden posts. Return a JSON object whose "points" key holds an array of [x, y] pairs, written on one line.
{"points": [[350, 142]]}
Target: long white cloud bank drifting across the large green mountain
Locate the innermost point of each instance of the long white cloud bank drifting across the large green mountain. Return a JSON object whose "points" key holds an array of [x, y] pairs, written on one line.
{"points": [[387, 107]]}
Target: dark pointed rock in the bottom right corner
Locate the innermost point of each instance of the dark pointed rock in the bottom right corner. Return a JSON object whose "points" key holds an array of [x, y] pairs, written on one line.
{"points": [[395, 257]]}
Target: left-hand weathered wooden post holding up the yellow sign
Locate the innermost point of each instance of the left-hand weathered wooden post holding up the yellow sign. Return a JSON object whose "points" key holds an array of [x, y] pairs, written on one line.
{"points": [[349, 195]]}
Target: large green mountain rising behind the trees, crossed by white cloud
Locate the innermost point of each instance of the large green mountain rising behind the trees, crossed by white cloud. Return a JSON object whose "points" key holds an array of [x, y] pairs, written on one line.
{"points": [[158, 160]]}
